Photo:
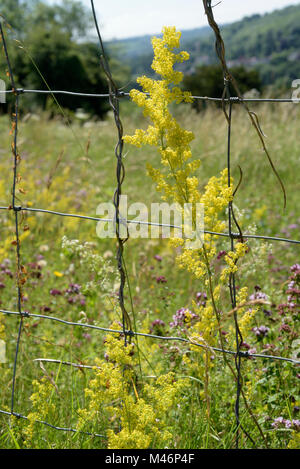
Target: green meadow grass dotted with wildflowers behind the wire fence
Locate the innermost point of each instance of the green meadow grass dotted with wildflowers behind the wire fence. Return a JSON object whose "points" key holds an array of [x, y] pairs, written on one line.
{"points": [[84, 177]]}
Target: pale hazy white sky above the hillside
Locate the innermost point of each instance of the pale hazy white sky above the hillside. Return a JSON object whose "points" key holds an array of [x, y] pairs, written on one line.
{"points": [[127, 18]]}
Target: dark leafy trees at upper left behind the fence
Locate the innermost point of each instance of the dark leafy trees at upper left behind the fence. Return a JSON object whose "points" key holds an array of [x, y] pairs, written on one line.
{"points": [[52, 50]]}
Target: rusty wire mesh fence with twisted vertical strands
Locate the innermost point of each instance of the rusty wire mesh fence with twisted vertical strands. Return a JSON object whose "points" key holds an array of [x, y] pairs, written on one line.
{"points": [[234, 231]]}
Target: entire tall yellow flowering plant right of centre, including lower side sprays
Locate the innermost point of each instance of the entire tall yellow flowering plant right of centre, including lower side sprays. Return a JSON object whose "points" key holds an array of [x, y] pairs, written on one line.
{"points": [[176, 179]]}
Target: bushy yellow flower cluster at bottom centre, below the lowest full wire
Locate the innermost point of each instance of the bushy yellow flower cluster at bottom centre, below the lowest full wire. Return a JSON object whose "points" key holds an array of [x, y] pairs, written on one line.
{"points": [[137, 413]]}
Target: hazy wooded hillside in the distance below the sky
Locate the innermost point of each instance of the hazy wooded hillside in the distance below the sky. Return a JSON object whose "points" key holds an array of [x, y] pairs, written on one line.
{"points": [[269, 42]]}
